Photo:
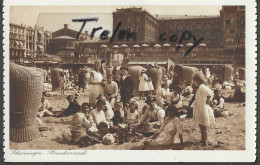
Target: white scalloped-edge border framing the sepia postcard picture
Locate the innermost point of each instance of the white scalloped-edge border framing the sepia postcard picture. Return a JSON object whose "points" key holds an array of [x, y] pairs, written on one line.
{"points": [[247, 155]]}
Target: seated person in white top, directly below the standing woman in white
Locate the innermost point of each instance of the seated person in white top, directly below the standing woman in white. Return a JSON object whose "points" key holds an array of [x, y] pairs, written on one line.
{"points": [[98, 114]]}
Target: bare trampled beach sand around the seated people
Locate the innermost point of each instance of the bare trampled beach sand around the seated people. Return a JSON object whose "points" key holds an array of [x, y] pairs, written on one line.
{"points": [[229, 133]]}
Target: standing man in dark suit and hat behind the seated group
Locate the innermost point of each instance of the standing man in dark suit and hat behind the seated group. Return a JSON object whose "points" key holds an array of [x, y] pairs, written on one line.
{"points": [[127, 86]]}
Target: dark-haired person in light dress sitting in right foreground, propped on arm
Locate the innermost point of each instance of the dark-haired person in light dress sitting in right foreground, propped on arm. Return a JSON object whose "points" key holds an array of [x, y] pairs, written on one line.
{"points": [[170, 128]]}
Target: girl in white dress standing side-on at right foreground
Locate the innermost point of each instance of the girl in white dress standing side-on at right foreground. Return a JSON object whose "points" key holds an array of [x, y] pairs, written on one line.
{"points": [[202, 112]]}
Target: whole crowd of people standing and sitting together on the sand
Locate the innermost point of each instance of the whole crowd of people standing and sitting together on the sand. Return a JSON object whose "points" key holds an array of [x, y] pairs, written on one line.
{"points": [[116, 114]]}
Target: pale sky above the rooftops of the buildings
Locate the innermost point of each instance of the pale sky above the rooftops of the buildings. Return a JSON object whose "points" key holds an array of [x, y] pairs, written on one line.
{"points": [[53, 18]]}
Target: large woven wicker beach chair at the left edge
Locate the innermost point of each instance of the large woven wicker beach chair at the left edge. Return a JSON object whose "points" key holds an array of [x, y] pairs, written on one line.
{"points": [[25, 100]]}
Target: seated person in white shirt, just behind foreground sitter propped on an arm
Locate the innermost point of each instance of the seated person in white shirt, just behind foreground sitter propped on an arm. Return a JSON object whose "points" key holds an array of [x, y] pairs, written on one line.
{"points": [[153, 114]]}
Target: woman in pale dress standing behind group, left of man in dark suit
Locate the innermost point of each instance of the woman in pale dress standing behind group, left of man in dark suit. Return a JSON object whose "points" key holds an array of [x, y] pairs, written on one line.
{"points": [[96, 89]]}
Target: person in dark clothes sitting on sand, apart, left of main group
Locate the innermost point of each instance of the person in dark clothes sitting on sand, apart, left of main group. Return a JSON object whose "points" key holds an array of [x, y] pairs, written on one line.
{"points": [[73, 107]]}
